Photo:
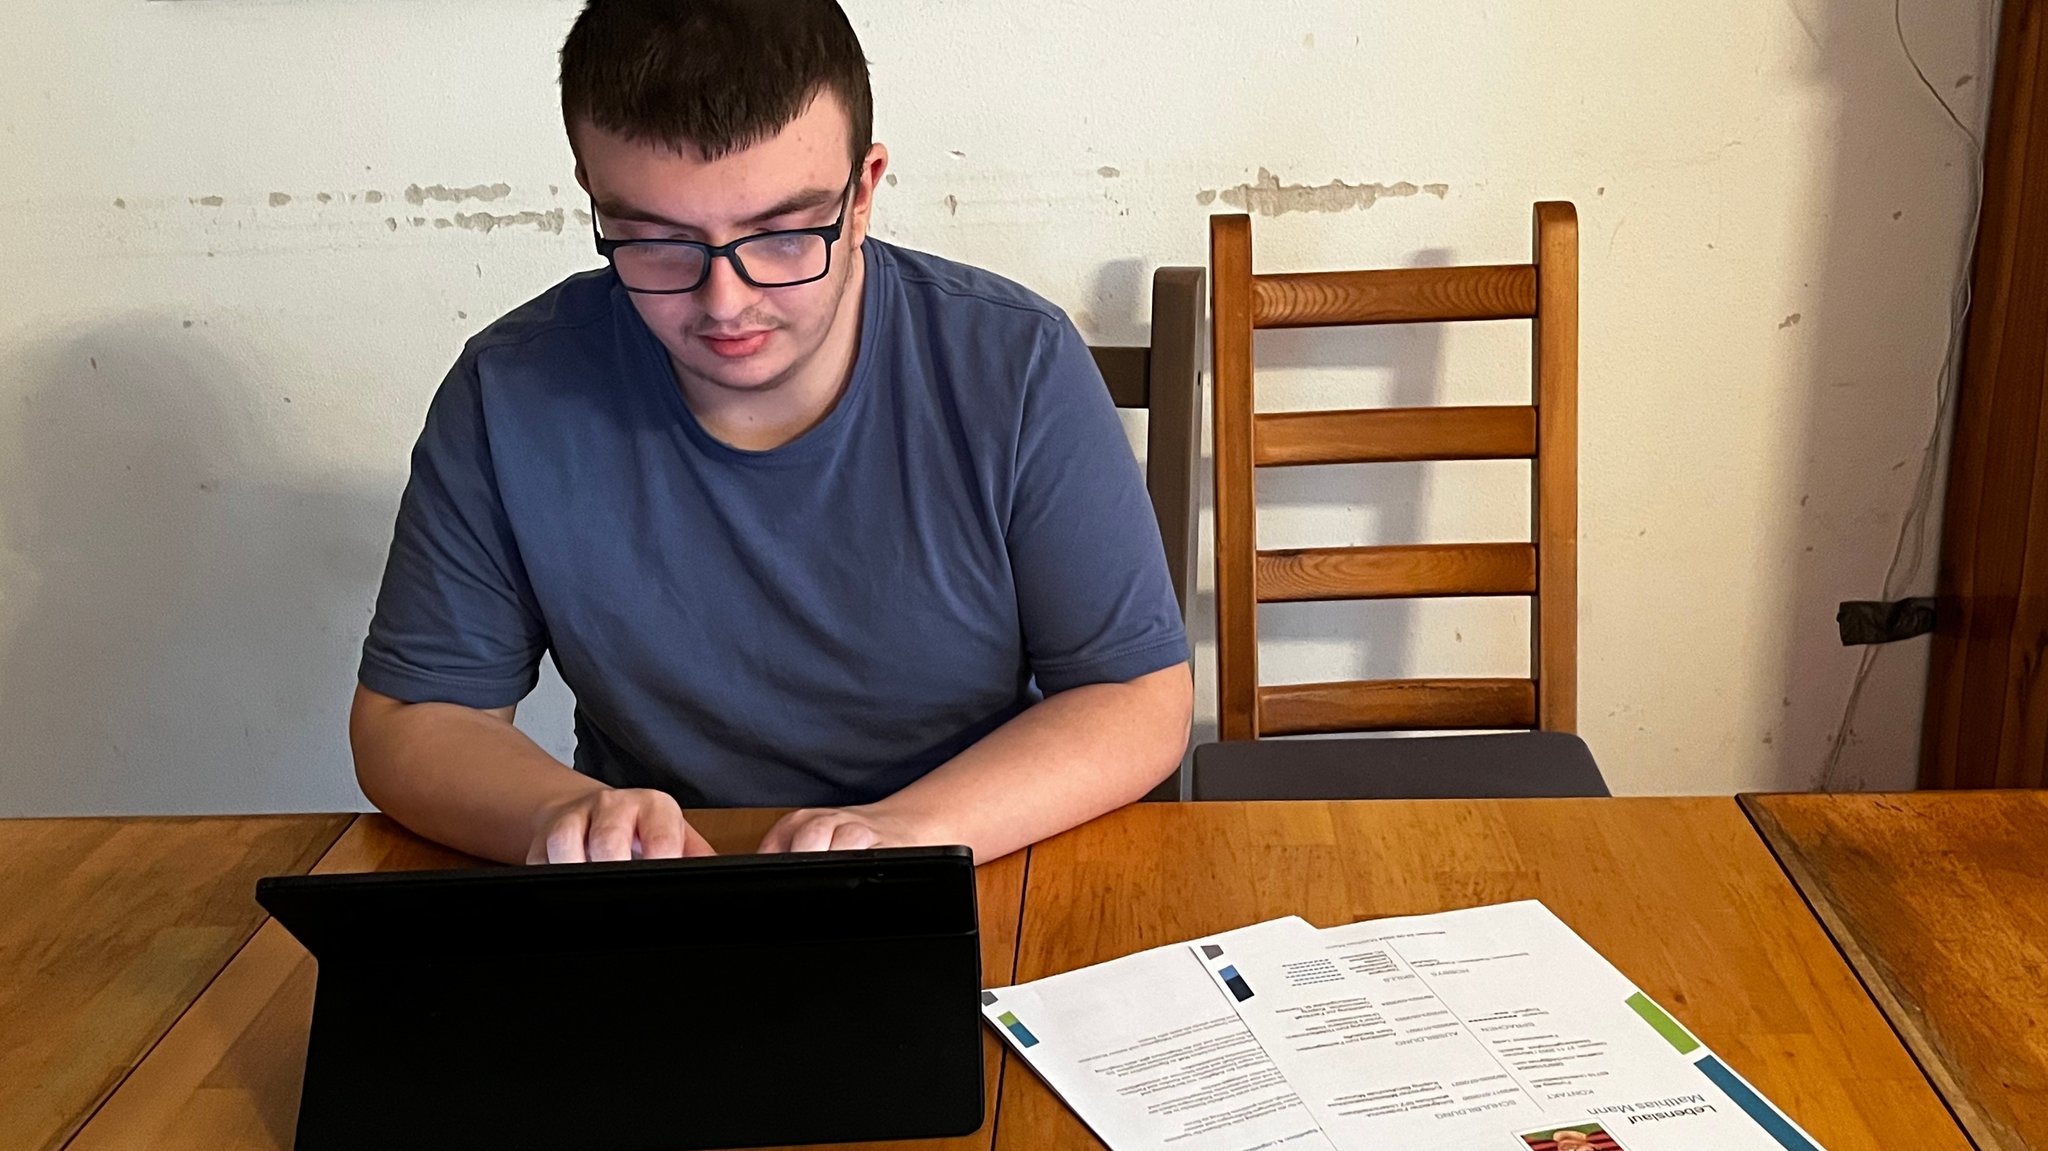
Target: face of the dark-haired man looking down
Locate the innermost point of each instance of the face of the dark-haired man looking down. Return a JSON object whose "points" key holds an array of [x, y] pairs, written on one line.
{"points": [[728, 333]]}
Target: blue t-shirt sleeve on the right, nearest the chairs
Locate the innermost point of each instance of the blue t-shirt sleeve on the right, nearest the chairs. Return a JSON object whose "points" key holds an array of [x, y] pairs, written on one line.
{"points": [[1095, 595]]}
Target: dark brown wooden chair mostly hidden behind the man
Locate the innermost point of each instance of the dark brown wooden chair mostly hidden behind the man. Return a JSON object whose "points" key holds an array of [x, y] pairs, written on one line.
{"points": [[1166, 380]]}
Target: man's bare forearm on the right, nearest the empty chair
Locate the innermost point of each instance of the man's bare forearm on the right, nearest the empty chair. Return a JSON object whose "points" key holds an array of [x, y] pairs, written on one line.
{"points": [[1058, 765]]}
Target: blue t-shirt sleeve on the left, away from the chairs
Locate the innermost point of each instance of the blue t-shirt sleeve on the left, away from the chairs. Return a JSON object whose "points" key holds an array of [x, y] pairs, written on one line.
{"points": [[456, 617]]}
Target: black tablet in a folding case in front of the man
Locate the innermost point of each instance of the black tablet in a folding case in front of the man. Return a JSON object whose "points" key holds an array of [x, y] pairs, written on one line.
{"points": [[640, 1007]]}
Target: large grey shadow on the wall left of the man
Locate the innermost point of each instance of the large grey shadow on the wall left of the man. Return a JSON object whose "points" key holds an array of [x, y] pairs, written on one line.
{"points": [[179, 620]]}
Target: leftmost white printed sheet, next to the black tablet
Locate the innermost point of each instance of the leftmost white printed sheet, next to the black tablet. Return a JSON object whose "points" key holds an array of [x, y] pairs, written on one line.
{"points": [[1150, 1054]]}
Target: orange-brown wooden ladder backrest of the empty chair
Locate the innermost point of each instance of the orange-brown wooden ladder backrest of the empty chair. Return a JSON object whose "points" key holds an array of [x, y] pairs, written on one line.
{"points": [[1545, 431]]}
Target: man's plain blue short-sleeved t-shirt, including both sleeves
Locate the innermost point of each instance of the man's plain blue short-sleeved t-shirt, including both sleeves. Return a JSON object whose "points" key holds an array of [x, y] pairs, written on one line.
{"points": [[818, 624]]}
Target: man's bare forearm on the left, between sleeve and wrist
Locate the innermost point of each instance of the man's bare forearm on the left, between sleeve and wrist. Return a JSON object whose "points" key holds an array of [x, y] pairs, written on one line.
{"points": [[458, 775]]}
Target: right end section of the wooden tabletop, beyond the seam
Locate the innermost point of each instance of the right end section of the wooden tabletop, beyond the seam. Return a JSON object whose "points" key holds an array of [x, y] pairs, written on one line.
{"points": [[1940, 900]]}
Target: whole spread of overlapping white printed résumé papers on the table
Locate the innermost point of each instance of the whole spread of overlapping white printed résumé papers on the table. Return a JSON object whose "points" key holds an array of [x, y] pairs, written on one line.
{"points": [[1486, 1029]]}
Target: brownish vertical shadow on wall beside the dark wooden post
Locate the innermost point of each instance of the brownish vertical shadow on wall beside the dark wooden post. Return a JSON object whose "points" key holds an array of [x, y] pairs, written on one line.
{"points": [[1867, 386]]}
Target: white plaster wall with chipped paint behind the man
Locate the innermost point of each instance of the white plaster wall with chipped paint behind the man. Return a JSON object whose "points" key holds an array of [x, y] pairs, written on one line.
{"points": [[222, 321]]}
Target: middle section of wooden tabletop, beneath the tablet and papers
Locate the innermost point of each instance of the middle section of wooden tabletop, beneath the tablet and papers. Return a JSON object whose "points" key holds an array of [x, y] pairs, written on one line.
{"points": [[1680, 894]]}
